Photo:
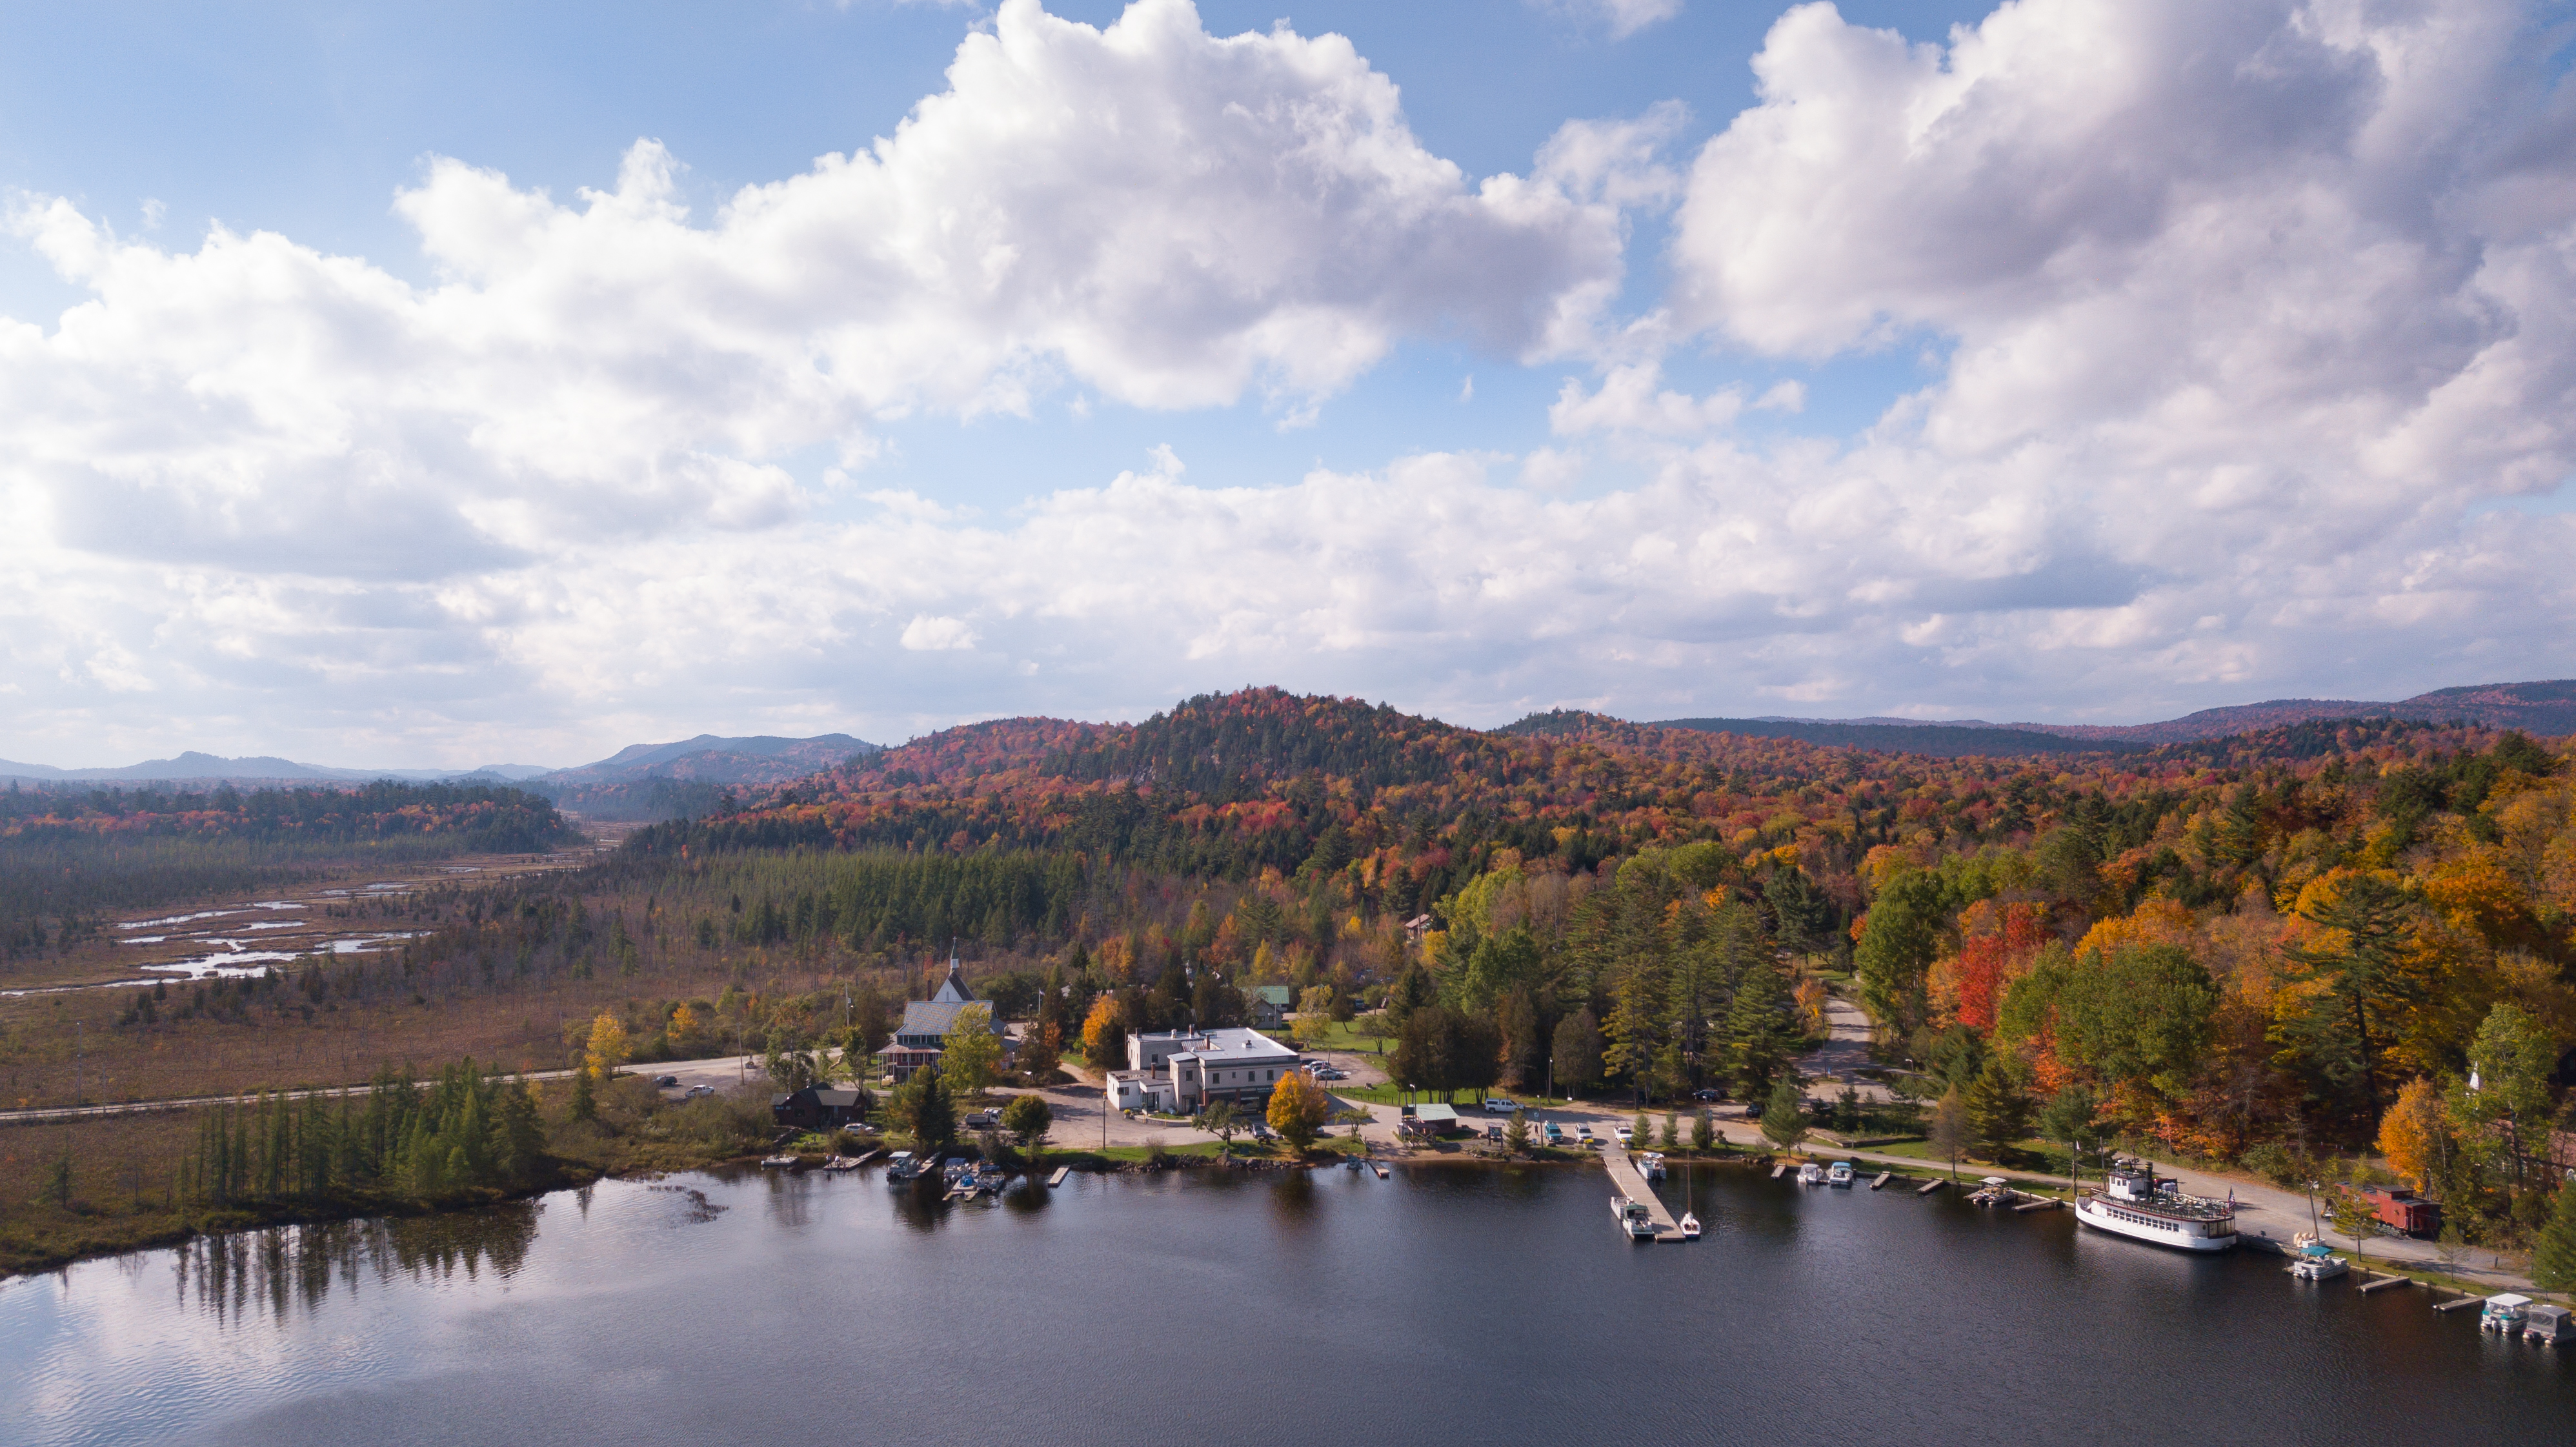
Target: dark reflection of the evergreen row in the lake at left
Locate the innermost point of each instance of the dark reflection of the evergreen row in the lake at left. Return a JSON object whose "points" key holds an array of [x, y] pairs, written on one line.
{"points": [[249, 1276]]}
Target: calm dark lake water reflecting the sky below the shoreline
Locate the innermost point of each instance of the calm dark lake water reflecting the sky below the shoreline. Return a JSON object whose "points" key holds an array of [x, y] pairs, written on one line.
{"points": [[1452, 1307]]}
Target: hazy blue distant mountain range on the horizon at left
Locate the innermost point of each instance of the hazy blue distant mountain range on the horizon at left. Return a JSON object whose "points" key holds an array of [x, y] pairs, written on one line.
{"points": [[697, 761]]}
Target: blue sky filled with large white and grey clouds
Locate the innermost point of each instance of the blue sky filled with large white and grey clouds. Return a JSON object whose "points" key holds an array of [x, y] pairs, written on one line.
{"points": [[509, 385]]}
